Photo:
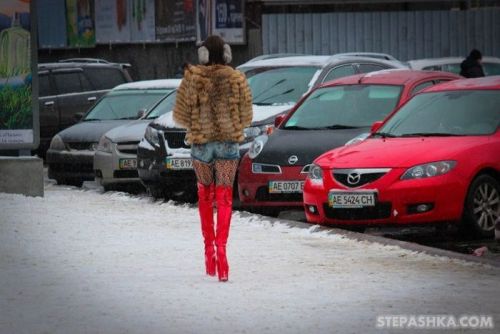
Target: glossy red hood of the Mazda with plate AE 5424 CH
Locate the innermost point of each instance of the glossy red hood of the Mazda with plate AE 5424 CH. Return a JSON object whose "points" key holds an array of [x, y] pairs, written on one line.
{"points": [[398, 152]]}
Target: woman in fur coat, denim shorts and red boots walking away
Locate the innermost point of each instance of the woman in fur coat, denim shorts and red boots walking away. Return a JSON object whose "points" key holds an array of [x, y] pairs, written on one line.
{"points": [[214, 104]]}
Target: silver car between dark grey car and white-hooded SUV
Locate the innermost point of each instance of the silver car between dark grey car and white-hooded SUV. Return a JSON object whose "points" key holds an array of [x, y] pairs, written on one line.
{"points": [[115, 161]]}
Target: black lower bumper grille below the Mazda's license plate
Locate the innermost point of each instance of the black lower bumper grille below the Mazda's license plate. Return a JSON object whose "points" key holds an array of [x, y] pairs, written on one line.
{"points": [[380, 211]]}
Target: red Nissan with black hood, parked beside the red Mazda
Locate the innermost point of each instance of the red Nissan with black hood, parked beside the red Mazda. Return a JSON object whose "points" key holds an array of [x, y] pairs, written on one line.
{"points": [[272, 174]]}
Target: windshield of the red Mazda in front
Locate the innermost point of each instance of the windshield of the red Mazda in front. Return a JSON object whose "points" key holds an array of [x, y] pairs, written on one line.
{"points": [[451, 113]]}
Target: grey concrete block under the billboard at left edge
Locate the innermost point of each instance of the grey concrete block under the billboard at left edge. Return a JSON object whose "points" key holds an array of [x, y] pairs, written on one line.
{"points": [[21, 175]]}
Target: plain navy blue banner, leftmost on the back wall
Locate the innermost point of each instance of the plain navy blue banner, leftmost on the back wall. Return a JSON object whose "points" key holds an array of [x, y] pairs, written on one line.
{"points": [[51, 15]]}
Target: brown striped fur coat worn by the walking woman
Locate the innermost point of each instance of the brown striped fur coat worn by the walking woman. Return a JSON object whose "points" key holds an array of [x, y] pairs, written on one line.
{"points": [[214, 103]]}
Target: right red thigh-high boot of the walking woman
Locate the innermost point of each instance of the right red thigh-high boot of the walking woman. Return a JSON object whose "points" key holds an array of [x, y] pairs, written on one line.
{"points": [[224, 200]]}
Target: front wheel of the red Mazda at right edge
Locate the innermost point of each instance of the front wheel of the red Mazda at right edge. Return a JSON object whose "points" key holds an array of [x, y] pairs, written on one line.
{"points": [[482, 205]]}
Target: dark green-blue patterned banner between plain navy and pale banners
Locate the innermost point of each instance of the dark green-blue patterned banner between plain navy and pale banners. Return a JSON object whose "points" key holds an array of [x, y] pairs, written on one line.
{"points": [[80, 23]]}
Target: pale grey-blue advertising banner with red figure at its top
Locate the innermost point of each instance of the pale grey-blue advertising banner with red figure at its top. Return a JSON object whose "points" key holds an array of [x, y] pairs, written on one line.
{"points": [[125, 21]]}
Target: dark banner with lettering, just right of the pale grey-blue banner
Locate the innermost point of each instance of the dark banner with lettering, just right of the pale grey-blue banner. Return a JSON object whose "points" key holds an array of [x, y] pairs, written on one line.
{"points": [[175, 20]]}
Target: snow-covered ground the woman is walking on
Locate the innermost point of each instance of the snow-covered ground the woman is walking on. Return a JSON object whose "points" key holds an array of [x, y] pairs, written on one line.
{"points": [[78, 261]]}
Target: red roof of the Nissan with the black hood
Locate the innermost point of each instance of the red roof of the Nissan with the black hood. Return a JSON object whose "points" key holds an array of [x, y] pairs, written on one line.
{"points": [[390, 77]]}
